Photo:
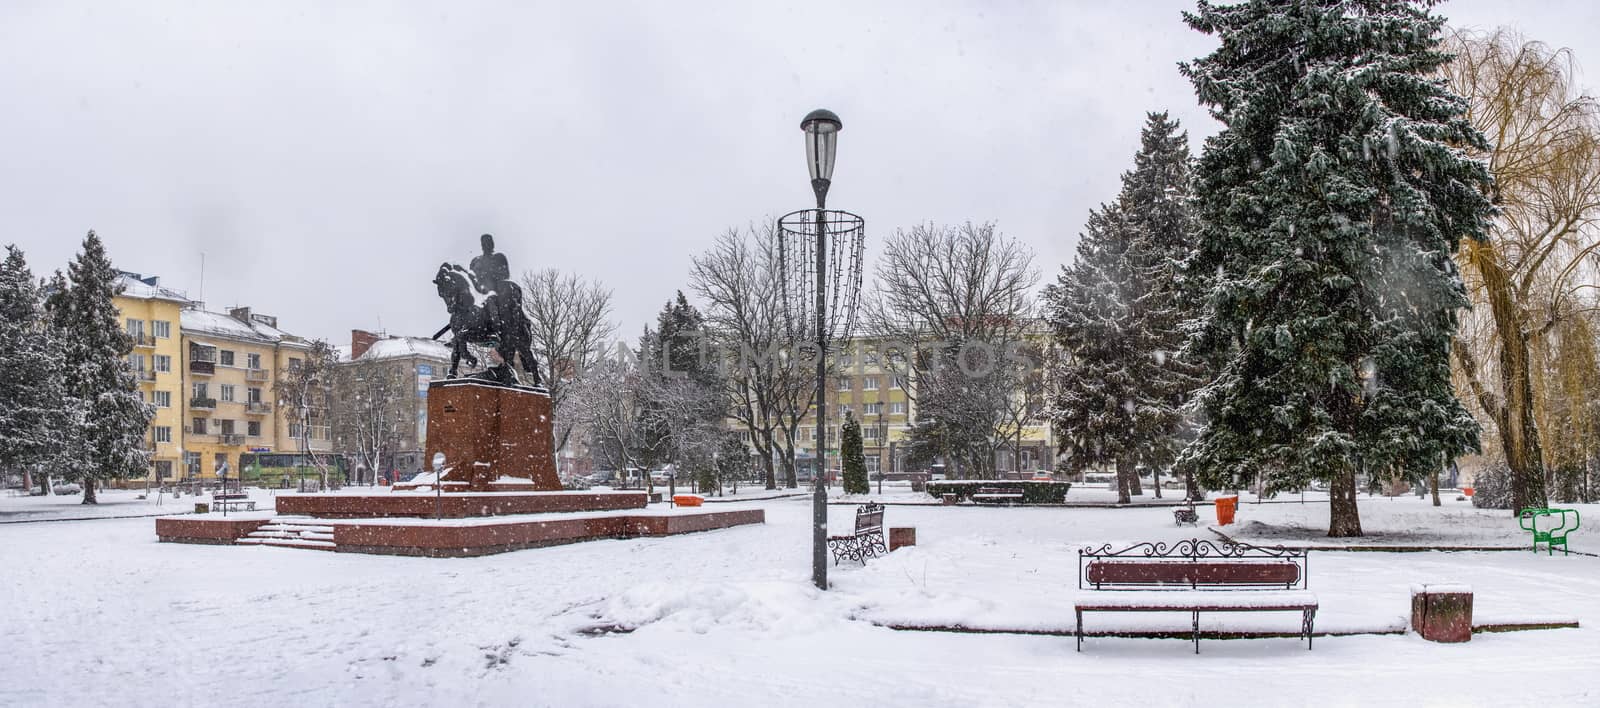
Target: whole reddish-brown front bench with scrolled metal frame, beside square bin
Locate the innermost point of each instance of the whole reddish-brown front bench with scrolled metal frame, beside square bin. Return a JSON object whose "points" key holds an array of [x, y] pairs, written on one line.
{"points": [[1194, 576]]}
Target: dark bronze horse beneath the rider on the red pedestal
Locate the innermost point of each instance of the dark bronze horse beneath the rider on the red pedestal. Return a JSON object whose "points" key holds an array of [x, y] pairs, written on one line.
{"points": [[494, 320]]}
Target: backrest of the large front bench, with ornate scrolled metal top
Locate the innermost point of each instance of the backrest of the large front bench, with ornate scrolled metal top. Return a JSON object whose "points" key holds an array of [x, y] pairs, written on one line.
{"points": [[1193, 565]]}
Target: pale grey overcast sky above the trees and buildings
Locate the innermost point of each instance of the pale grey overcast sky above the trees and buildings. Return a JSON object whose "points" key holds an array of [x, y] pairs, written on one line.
{"points": [[327, 156]]}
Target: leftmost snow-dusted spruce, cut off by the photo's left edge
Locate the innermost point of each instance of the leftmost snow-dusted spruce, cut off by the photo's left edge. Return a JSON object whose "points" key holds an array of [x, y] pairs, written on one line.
{"points": [[34, 412]]}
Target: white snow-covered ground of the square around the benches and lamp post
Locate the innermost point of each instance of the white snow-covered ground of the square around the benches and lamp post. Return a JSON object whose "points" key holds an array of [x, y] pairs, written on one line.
{"points": [[97, 613]]}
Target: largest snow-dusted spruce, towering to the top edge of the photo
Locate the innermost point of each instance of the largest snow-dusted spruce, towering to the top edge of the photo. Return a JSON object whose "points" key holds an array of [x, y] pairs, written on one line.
{"points": [[1330, 207]]}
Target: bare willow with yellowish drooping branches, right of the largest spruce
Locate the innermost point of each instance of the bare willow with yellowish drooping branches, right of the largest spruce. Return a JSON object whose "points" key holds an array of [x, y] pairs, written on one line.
{"points": [[1527, 278]]}
